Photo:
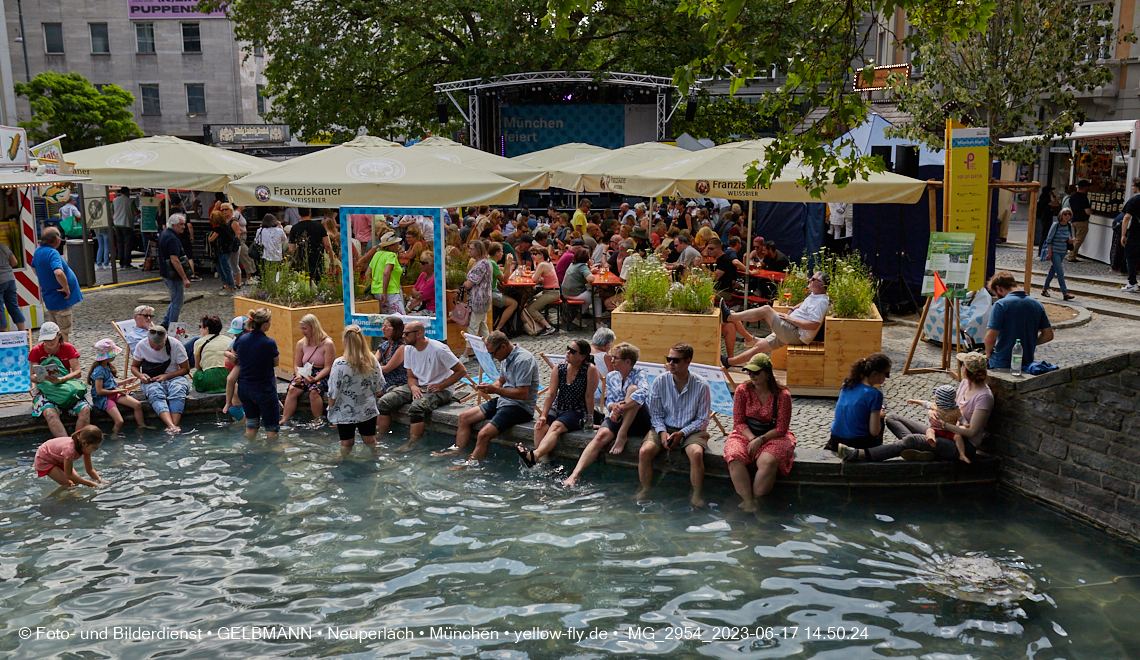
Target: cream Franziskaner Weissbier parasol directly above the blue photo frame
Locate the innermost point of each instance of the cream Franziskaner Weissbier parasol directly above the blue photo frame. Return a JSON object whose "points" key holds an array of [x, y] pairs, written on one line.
{"points": [[365, 173]]}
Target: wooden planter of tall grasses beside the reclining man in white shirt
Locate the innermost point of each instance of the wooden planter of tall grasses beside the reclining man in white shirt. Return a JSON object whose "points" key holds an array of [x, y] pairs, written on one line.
{"points": [[853, 329]]}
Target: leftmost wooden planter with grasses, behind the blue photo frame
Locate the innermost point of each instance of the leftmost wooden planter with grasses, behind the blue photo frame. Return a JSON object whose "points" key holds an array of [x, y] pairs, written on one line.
{"points": [[289, 295]]}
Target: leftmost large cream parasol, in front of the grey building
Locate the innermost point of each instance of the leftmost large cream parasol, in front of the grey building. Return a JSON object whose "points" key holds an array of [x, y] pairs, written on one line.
{"points": [[165, 162]]}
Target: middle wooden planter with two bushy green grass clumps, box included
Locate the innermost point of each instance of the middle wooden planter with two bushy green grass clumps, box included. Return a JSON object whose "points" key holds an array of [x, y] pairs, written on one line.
{"points": [[658, 313]]}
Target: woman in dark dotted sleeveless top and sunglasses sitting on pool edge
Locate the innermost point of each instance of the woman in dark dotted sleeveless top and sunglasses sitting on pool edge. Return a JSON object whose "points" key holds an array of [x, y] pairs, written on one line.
{"points": [[569, 402]]}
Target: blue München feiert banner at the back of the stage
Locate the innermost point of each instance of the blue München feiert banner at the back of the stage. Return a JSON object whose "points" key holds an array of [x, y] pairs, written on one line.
{"points": [[532, 128]]}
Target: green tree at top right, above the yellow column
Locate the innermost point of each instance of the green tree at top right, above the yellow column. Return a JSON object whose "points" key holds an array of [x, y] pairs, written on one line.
{"points": [[1031, 55]]}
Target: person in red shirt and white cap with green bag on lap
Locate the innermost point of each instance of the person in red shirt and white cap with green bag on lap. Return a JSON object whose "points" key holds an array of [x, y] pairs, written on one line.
{"points": [[51, 401]]}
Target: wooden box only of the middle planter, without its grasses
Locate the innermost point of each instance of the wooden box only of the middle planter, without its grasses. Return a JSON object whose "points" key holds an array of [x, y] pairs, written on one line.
{"points": [[656, 333]]}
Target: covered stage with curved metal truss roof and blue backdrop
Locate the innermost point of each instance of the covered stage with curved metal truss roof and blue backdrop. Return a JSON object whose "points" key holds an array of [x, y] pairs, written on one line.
{"points": [[519, 113]]}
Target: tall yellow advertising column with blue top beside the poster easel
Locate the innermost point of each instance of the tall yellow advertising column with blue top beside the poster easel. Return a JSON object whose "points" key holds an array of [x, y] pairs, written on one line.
{"points": [[967, 184]]}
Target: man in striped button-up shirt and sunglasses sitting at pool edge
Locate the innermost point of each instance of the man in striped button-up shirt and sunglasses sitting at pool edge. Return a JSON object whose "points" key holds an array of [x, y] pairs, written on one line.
{"points": [[680, 406]]}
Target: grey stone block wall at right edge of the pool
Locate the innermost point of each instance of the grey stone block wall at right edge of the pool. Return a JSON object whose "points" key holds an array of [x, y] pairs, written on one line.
{"points": [[1072, 438]]}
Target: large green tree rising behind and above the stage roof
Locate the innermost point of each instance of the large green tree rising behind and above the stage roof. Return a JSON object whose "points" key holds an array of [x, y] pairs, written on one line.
{"points": [[337, 67]]}
